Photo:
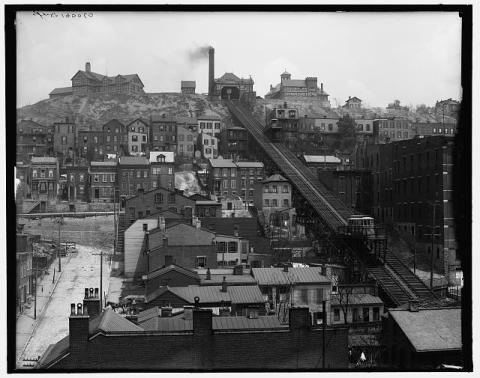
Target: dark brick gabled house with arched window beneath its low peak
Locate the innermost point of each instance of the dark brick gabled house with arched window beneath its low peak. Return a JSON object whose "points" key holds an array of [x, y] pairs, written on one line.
{"points": [[154, 201]]}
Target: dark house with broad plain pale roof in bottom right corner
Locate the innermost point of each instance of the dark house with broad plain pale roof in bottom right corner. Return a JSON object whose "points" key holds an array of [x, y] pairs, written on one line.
{"points": [[419, 338]]}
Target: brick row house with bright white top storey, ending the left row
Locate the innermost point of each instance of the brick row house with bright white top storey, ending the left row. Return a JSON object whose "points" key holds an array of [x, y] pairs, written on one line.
{"points": [[162, 169]]}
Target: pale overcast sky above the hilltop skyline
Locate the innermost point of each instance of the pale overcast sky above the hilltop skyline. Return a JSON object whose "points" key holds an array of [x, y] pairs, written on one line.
{"points": [[378, 57]]}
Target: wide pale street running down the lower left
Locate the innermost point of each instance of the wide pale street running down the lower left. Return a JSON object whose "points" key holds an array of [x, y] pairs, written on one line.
{"points": [[79, 271]]}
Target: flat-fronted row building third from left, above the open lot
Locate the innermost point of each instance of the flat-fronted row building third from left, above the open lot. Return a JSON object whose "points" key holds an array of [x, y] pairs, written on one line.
{"points": [[103, 181]]}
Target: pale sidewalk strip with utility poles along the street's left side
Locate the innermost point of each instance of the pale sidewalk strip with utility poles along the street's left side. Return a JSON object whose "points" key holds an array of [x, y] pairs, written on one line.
{"points": [[26, 324]]}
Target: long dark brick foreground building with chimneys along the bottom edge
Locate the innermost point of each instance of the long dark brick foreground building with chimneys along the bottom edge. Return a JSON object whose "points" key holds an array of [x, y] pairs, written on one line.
{"points": [[194, 340]]}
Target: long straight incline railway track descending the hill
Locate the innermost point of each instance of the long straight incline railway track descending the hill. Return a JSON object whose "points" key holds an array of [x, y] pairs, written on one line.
{"points": [[394, 277]]}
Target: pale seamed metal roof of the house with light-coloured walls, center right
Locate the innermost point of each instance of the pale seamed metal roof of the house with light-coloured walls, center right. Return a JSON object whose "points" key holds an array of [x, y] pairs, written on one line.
{"points": [[277, 276]]}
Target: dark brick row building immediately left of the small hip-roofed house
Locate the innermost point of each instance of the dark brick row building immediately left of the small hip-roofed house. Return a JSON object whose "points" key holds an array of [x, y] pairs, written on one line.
{"points": [[248, 174]]}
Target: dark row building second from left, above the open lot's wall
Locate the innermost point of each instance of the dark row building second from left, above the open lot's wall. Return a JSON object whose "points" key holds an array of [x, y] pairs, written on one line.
{"points": [[75, 187]]}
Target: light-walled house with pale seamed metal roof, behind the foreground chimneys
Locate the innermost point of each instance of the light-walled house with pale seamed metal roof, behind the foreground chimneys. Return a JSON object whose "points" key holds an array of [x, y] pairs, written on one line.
{"points": [[285, 287]]}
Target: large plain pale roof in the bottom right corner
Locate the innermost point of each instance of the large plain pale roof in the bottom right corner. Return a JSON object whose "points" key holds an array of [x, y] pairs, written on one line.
{"points": [[431, 329]]}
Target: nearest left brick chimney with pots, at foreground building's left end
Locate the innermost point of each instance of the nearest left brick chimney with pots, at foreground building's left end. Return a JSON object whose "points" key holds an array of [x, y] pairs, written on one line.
{"points": [[78, 325]]}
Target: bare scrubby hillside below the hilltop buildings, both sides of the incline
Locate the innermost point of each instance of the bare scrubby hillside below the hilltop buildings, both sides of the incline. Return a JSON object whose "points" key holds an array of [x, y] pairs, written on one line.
{"points": [[97, 110]]}
